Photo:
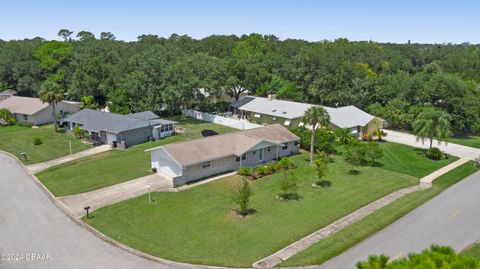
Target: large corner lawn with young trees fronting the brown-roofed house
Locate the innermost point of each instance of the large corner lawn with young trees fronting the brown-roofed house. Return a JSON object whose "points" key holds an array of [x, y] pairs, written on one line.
{"points": [[197, 225]]}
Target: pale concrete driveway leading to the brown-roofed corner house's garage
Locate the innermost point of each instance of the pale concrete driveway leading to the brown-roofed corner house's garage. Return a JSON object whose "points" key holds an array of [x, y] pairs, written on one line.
{"points": [[114, 194]]}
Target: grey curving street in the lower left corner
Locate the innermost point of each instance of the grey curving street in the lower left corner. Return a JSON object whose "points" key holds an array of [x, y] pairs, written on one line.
{"points": [[31, 223]]}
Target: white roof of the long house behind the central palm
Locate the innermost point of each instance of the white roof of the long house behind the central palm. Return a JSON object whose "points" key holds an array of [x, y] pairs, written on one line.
{"points": [[342, 117]]}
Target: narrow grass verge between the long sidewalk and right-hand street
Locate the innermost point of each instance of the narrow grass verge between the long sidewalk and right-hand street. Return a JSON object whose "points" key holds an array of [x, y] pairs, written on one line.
{"points": [[355, 233]]}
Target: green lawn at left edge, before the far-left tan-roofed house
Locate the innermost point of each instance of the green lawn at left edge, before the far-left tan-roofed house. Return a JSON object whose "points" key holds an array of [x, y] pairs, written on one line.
{"points": [[18, 139]]}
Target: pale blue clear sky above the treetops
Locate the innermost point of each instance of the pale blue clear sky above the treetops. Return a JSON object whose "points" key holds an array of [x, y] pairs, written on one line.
{"points": [[396, 21]]}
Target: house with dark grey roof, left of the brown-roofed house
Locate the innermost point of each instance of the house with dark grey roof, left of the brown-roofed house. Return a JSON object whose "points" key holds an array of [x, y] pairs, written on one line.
{"points": [[120, 130]]}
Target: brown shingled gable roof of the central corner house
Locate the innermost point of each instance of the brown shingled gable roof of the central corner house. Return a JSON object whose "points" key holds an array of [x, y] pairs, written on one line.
{"points": [[230, 144]]}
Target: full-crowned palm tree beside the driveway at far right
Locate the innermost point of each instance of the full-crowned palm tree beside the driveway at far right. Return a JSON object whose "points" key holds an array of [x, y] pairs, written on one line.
{"points": [[432, 123]]}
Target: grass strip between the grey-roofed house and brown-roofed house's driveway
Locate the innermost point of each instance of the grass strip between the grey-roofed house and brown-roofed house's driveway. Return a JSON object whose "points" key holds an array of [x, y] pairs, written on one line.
{"points": [[115, 166]]}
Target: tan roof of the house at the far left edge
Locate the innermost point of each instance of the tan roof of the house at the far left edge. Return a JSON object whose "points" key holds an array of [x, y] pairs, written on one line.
{"points": [[23, 105]]}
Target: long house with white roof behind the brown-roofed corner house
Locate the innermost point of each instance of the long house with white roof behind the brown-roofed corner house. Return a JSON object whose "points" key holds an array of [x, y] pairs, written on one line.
{"points": [[269, 110]]}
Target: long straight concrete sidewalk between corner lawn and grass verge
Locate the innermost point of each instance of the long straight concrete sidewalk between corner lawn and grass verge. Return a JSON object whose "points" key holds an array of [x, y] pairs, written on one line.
{"points": [[308, 241]]}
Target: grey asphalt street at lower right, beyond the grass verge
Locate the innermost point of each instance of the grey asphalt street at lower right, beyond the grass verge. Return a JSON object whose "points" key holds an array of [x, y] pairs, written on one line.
{"points": [[452, 218]]}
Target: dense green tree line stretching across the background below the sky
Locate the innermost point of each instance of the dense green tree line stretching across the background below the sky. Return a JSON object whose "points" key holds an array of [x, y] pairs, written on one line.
{"points": [[393, 81]]}
